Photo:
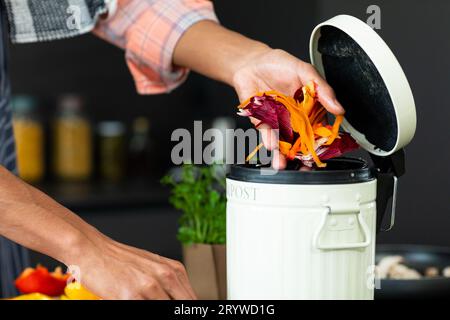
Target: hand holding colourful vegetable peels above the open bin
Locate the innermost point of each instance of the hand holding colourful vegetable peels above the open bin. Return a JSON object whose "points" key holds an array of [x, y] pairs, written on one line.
{"points": [[272, 69]]}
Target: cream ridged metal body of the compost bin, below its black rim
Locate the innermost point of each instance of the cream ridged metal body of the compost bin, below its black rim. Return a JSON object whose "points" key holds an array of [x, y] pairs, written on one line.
{"points": [[300, 241]]}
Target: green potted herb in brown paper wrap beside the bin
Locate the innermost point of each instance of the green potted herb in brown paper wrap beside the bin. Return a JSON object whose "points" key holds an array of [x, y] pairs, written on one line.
{"points": [[199, 192]]}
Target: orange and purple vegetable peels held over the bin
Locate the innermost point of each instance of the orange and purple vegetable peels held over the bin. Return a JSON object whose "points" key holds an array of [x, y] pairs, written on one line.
{"points": [[305, 133]]}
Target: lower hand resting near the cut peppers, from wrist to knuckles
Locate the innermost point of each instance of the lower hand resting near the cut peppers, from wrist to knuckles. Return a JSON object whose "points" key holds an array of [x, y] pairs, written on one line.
{"points": [[116, 271]]}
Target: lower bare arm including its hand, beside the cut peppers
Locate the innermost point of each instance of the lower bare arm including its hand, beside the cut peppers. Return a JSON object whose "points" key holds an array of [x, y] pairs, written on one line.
{"points": [[109, 269]]}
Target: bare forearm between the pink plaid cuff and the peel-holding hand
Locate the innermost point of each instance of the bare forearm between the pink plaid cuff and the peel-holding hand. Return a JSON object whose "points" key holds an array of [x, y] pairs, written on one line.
{"points": [[215, 51]]}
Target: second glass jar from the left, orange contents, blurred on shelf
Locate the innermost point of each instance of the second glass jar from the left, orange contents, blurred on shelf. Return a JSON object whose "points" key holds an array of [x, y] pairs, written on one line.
{"points": [[72, 140]]}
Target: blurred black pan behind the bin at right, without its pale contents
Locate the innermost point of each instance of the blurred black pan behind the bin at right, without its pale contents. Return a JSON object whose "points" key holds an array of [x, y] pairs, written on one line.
{"points": [[417, 257]]}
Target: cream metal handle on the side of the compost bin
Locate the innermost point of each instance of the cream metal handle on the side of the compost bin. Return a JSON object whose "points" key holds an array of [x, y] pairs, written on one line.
{"points": [[351, 245]]}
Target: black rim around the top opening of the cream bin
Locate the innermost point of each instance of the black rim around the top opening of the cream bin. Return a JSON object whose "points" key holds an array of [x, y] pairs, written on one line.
{"points": [[342, 170]]}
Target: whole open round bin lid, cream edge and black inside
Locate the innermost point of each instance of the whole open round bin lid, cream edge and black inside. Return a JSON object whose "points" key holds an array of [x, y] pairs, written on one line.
{"points": [[368, 81]]}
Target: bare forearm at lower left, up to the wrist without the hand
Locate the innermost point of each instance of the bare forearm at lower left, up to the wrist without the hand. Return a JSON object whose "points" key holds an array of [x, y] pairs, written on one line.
{"points": [[32, 219]]}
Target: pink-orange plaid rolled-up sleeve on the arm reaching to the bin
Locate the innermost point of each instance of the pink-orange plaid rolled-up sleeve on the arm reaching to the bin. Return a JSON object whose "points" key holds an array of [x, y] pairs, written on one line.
{"points": [[148, 31]]}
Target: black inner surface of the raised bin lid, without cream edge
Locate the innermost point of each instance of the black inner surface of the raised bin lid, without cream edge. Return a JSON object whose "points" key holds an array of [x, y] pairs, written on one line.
{"points": [[359, 87]]}
